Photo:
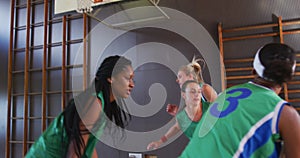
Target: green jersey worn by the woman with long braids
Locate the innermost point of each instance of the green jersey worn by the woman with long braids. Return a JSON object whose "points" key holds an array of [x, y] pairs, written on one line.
{"points": [[54, 142]]}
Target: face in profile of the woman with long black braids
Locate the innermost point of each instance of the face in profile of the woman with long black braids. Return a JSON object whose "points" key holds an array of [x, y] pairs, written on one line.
{"points": [[122, 83]]}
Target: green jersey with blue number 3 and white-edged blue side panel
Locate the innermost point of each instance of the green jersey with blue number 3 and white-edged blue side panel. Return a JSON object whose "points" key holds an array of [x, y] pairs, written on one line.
{"points": [[242, 122]]}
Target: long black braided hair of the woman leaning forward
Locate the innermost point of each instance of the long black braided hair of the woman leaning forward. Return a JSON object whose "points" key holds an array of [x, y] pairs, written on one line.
{"points": [[110, 66]]}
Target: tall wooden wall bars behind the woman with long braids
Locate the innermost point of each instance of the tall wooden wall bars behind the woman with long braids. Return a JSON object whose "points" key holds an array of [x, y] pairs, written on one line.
{"points": [[39, 58]]}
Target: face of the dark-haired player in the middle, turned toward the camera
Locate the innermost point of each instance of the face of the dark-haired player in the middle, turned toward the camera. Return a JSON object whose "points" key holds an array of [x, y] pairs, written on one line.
{"points": [[192, 94]]}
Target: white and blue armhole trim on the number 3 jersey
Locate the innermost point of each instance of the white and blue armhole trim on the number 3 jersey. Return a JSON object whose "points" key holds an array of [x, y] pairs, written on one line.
{"points": [[277, 113]]}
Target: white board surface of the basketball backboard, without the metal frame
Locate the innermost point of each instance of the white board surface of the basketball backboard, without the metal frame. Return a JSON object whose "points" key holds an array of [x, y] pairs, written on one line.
{"points": [[65, 6]]}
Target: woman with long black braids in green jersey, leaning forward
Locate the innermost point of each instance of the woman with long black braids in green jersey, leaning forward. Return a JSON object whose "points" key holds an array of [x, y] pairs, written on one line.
{"points": [[75, 132]]}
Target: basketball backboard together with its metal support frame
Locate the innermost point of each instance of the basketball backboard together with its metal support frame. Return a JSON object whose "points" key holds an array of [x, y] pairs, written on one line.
{"points": [[129, 16]]}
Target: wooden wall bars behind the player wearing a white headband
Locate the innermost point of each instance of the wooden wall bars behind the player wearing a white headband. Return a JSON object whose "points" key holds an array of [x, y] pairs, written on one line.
{"points": [[238, 70]]}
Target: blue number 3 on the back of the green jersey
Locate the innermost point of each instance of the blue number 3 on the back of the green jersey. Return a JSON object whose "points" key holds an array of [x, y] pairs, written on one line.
{"points": [[233, 102]]}
